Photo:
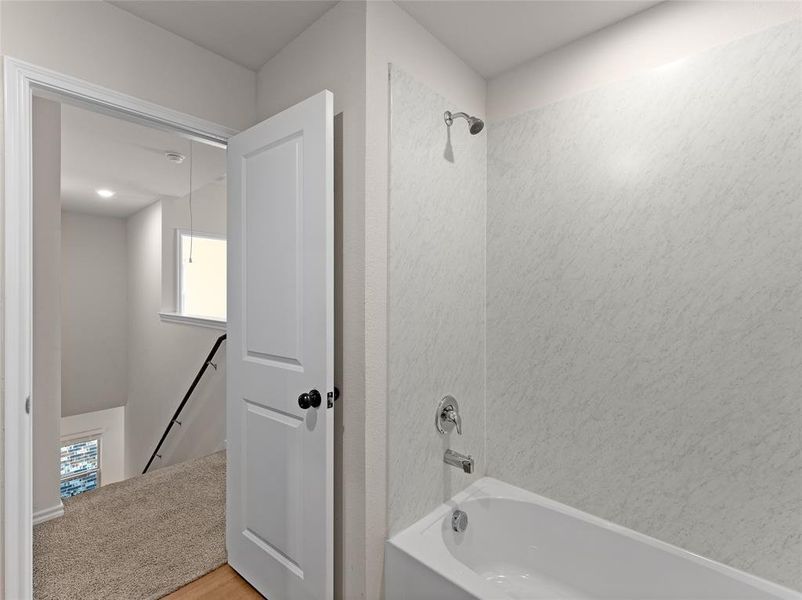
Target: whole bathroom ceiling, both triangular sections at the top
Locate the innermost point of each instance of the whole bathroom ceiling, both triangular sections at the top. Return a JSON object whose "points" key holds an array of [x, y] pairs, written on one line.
{"points": [[492, 36]]}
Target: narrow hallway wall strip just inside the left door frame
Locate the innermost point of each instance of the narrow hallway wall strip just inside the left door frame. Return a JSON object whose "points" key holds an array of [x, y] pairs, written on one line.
{"points": [[46, 396]]}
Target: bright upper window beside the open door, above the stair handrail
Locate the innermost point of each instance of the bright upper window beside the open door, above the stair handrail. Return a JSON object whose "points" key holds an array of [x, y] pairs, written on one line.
{"points": [[201, 282]]}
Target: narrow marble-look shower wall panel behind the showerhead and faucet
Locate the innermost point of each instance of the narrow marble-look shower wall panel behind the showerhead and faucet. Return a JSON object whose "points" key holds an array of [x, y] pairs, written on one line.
{"points": [[438, 195]]}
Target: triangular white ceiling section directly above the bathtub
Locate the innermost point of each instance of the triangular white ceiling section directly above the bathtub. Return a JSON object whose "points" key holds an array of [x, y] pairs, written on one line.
{"points": [[495, 36]]}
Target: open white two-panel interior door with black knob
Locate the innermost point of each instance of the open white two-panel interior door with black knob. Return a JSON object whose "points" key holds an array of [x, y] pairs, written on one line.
{"points": [[279, 508]]}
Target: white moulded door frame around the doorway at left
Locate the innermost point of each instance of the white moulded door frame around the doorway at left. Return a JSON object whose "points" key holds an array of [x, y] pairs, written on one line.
{"points": [[22, 81]]}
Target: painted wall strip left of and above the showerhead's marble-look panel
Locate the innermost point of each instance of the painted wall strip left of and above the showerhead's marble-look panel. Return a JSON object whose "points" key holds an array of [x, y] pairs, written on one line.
{"points": [[393, 37]]}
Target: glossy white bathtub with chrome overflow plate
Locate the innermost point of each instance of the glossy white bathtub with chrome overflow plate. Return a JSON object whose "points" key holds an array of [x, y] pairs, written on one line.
{"points": [[519, 545]]}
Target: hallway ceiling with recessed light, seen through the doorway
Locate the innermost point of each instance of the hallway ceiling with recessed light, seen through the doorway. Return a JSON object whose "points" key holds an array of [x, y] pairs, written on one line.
{"points": [[103, 152]]}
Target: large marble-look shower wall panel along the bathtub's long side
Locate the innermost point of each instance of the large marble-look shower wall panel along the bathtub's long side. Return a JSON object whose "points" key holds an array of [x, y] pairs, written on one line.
{"points": [[644, 310]]}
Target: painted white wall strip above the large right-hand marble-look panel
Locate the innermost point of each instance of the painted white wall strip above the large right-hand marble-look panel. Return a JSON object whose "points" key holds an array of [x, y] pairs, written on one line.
{"points": [[663, 34]]}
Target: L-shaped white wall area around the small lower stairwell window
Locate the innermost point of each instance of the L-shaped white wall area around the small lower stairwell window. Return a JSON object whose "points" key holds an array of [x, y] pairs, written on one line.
{"points": [[110, 425]]}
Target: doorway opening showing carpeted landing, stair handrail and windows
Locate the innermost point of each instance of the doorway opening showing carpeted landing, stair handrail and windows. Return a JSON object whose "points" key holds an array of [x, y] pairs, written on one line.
{"points": [[129, 299]]}
